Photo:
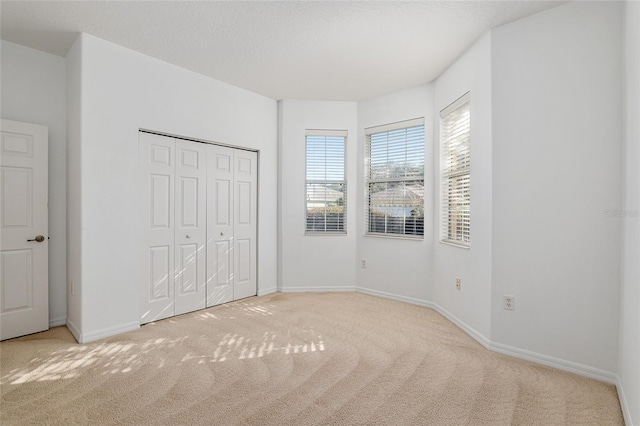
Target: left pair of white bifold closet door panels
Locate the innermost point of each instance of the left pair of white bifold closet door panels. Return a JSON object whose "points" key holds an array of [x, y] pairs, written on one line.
{"points": [[173, 226]]}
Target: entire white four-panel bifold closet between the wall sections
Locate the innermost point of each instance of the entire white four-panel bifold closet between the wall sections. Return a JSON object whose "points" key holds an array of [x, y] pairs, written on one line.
{"points": [[198, 225]]}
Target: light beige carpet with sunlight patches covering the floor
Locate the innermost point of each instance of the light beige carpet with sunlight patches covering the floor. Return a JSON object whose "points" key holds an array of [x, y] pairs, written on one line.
{"points": [[291, 359]]}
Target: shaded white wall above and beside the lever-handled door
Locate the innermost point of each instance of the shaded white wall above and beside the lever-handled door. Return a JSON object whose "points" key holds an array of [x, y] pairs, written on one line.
{"points": [[33, 91]]}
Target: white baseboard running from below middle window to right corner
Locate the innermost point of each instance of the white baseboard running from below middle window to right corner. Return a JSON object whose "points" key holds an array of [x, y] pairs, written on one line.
{"points": [[549, 361]]}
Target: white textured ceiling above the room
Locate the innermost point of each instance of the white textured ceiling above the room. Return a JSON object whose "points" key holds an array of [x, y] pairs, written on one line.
{"points": [[283, 50]]}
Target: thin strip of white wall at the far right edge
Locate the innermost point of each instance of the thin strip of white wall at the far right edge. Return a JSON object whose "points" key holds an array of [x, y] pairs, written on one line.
{"points": [[629, 362]]}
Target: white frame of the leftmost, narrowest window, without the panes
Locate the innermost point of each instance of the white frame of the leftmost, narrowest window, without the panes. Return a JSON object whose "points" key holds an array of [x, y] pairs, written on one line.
{"points": [[326, 133]]}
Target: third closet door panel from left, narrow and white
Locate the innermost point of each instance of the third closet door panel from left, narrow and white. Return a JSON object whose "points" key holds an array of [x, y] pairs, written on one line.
{"points": [[220, 225]]}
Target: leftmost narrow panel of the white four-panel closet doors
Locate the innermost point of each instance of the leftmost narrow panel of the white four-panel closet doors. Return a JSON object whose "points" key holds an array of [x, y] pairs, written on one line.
{"points": [[157, 256]]}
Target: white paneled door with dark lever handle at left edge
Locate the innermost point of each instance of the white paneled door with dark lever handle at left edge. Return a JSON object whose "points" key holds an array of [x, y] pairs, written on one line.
{"points": [[24, 287]]}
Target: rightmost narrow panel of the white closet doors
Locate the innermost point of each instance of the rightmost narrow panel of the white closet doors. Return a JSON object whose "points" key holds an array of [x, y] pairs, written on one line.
{"points": [[245, 224]]}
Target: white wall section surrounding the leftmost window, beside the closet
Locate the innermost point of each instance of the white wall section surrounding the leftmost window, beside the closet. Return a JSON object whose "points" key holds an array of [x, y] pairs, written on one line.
{"points": [[314, 262]]}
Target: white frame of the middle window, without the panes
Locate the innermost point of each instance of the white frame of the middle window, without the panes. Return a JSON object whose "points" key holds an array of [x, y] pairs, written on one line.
{"points": [[368, 180]]}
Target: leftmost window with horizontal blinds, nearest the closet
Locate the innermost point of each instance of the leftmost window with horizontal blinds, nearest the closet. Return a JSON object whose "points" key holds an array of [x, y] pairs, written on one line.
{"points": [[326, 194]]}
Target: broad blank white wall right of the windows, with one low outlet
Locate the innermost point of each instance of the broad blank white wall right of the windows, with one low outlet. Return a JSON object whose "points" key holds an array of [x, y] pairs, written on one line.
{"points": [[556, 170]]}
